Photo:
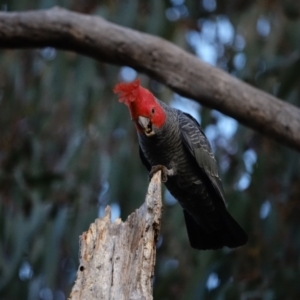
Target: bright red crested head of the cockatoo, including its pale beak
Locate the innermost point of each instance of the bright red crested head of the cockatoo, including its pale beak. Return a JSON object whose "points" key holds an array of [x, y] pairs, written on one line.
{"points": [[145, 111]]}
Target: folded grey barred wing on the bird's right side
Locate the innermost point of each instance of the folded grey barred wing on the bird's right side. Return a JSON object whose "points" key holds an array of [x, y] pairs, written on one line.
{"points": [[198, 146]]}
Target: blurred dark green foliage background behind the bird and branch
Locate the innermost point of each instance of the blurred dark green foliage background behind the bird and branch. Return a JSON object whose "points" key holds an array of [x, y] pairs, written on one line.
{"points": [[67, 149]]}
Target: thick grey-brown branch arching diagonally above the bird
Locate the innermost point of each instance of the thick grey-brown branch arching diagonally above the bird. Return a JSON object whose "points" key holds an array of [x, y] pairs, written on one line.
{"points": [[181, 71]]}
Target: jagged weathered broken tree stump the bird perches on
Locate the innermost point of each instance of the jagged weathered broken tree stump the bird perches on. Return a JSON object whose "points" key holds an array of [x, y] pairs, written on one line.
{"points": [[117, 259]]}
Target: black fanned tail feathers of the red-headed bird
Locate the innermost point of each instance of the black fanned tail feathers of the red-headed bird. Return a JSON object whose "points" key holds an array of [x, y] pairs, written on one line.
{"points": [[230, 234]]}
